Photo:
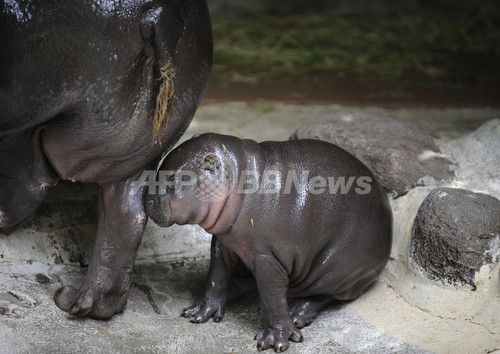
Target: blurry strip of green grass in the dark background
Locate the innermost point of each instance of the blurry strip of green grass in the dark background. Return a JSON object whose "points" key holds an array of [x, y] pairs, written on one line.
{"points": [[251, 47]]}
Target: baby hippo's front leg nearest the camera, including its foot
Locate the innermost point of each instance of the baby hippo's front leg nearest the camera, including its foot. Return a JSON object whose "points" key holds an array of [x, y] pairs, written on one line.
{"points": [[272, 282]]}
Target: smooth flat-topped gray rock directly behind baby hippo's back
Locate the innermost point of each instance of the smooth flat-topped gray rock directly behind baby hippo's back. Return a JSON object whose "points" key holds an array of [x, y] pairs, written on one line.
{"points": [[401, 155]]}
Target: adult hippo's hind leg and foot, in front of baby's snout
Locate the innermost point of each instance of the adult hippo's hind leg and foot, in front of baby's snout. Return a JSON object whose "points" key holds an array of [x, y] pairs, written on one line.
{"points": [[121, 224]]}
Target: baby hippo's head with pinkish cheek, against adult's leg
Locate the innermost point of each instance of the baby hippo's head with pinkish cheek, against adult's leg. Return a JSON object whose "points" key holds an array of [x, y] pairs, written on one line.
{"points": [[191, 180]]}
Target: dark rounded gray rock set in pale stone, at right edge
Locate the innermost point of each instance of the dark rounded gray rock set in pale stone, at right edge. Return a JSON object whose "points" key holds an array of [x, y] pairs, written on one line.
{"points": [[455, 232]]}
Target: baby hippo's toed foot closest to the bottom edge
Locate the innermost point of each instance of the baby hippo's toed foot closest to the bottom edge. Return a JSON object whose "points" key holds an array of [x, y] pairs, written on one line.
{"points": [[277, 336]]}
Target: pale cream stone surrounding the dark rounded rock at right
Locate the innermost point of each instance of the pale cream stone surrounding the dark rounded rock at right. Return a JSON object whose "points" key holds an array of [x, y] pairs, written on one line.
{"points": [[455, 312]]}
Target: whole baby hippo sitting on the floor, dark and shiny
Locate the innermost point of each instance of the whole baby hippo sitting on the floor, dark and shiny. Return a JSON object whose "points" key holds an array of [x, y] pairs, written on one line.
{"points": [[307, 218]]}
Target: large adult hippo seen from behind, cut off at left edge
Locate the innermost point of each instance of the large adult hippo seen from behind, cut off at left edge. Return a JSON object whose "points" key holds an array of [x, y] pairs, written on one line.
{"points": [[81, 99]]}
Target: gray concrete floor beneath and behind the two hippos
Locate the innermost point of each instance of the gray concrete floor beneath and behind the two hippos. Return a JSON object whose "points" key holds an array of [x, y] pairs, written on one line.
{"points": [[172, 263]]}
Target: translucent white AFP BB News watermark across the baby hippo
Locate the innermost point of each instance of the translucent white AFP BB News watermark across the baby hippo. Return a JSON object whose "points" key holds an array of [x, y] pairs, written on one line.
{"points": [[210, 185]]}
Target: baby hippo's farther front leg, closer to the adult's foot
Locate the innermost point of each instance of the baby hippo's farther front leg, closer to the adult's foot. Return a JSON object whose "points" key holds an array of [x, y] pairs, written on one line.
{"points": [[213, 303]]}
